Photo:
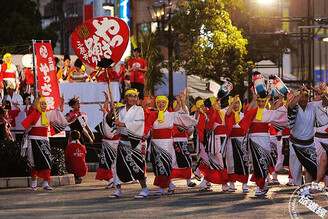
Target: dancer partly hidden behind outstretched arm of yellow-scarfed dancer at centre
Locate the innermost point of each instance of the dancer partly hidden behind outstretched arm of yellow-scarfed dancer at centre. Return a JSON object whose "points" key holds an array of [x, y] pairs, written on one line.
{"points": [[182, 167]]}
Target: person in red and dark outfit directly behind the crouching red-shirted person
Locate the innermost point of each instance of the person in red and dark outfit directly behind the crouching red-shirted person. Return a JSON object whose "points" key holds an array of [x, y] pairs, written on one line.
{"points": [[78, 121]]}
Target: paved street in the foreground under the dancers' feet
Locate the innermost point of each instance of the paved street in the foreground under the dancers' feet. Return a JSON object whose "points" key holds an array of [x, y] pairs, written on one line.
{"points": [[90, 199]]}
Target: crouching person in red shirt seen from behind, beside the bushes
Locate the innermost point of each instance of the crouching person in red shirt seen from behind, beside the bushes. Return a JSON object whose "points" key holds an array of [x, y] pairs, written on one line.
{"points": [[75, 157]]}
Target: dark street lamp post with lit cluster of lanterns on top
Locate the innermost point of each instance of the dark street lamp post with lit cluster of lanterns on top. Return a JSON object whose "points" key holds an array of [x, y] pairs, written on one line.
{"points": [[161, 13]]}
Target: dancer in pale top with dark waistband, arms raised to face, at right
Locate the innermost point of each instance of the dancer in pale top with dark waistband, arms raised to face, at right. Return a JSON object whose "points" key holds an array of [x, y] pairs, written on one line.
{"points": [[301, 116]]}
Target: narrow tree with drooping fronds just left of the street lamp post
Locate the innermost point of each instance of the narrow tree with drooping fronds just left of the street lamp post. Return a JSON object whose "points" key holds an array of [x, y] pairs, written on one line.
{"points": [[151, 52]]}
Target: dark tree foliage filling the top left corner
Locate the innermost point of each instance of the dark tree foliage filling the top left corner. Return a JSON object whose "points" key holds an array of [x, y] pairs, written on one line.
{"points": [[20, 22]]}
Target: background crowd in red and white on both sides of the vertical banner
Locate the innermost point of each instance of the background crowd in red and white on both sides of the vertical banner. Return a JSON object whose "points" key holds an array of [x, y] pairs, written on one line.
{"points": [[17, 85]]}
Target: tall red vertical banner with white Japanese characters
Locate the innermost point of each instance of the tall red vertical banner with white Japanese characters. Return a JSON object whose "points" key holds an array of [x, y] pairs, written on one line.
{"points": [[47, 75]]}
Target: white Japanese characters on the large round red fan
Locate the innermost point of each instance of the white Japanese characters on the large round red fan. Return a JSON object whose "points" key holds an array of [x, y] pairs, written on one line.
{"points": [[100, 44]]}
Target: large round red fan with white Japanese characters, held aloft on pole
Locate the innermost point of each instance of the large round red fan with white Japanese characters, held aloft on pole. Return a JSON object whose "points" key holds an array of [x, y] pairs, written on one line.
{"points": [[100, 38]]}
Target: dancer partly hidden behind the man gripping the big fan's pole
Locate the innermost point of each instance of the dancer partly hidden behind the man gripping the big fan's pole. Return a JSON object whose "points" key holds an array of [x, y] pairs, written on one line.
{"points": [[108, 147]]}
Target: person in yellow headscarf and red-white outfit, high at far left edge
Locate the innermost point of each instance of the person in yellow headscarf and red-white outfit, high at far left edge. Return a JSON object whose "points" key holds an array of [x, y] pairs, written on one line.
{"points": [[9, 72]]}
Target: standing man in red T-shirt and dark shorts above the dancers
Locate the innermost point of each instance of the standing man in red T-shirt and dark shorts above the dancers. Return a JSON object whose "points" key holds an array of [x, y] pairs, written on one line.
{"points": [[138, 68]]}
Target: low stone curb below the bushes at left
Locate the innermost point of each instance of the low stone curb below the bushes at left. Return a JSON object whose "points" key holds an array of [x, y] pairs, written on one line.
{"points": [[22, 182]]}
